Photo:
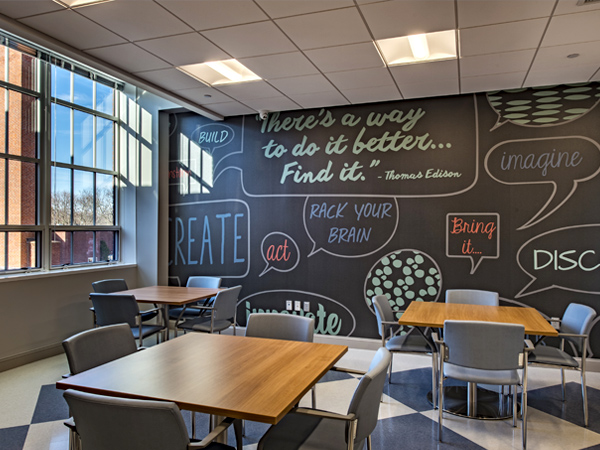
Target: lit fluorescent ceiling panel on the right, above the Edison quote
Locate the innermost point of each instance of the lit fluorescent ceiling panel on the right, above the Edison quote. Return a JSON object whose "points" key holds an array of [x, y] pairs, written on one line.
{"points": [[418, 48]]}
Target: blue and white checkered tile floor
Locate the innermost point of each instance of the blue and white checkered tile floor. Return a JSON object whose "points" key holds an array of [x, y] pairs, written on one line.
{"points": [[32, 410]]}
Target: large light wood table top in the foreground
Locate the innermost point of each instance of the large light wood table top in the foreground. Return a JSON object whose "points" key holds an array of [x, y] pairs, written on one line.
{"points": [[235, 376]]}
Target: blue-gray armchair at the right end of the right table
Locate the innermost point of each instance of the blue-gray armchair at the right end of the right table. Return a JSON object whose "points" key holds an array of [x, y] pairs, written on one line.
{"points": [[574, 328]]}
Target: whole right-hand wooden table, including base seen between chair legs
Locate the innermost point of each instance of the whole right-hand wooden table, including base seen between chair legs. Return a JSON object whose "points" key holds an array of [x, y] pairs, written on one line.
{"points": [[471, 401]]}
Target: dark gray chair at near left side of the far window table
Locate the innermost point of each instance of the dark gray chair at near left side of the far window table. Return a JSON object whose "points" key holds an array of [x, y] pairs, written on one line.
{"points": [[122, 308]]}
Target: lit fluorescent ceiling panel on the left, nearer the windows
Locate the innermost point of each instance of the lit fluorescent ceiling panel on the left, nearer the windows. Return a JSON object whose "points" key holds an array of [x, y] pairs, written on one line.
{"points": [[215, 73]]}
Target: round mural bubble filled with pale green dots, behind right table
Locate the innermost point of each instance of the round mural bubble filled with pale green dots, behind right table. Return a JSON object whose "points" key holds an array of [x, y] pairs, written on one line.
{"points": [[404, 276]]}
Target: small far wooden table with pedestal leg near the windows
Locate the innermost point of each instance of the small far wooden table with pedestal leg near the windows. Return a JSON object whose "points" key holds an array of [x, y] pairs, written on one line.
{"points": [[170, 296]]}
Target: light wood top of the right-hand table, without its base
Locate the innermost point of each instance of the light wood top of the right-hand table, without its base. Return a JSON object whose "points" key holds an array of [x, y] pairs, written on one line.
{"points": [[433, 314]]}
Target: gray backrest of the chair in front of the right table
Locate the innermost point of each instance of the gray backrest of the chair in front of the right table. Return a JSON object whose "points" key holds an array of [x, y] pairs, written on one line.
{"points": [[484, 345]]}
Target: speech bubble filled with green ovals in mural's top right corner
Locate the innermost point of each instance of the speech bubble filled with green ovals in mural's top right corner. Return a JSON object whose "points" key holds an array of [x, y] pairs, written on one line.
{"points": [[491, 97]]}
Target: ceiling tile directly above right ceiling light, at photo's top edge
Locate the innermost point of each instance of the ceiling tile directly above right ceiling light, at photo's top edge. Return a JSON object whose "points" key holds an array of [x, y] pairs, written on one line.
{"points": [[403, 18]]}
